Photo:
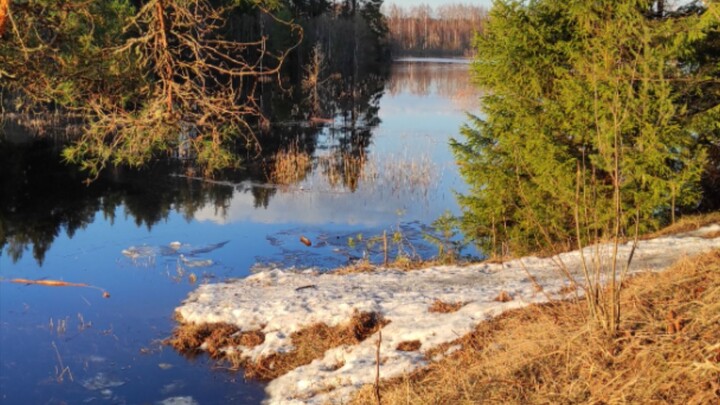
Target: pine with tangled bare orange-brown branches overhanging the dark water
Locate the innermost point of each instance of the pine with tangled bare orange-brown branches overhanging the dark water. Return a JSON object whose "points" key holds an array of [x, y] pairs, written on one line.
{"points": [[137, 76]]}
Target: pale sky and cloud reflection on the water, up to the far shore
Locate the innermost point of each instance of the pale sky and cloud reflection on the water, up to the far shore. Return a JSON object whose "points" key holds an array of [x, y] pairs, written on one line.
{"points": [[416, 125]]}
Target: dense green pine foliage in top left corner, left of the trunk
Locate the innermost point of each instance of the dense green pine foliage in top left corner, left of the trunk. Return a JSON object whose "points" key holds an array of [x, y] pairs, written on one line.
{"points": [[55, 52]]}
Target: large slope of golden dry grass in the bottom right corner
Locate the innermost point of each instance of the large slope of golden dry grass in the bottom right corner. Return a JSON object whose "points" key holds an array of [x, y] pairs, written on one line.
{"points": [[668, 351]]}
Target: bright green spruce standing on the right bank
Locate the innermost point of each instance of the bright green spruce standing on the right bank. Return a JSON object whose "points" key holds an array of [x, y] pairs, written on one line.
{"points": [[587, 106]]}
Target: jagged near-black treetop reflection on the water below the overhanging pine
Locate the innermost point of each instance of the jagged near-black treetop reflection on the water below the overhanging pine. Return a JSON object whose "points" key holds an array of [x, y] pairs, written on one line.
{"points": [[41, 197]]}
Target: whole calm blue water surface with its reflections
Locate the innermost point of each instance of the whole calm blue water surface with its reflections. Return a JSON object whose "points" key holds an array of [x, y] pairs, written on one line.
{"points": [[148, 238]]}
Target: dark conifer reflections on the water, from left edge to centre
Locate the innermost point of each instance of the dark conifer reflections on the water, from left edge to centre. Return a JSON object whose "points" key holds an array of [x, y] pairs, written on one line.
{"points": [[40, 196]]}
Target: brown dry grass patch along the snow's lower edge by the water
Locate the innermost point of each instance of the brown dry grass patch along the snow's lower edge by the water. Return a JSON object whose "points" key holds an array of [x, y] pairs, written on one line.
{"points": [[311, 343]]}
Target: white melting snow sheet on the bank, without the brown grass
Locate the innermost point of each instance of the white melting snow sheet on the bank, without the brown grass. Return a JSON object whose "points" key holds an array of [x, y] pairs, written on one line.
{"points": [[280, 302]]}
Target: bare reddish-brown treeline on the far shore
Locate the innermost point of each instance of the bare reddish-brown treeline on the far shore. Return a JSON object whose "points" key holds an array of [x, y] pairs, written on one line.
{"points": [[424, 31]]}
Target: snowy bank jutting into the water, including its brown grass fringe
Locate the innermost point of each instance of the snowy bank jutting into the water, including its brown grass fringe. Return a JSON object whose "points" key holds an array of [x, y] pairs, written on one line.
{"points": [[263, 323]]}
